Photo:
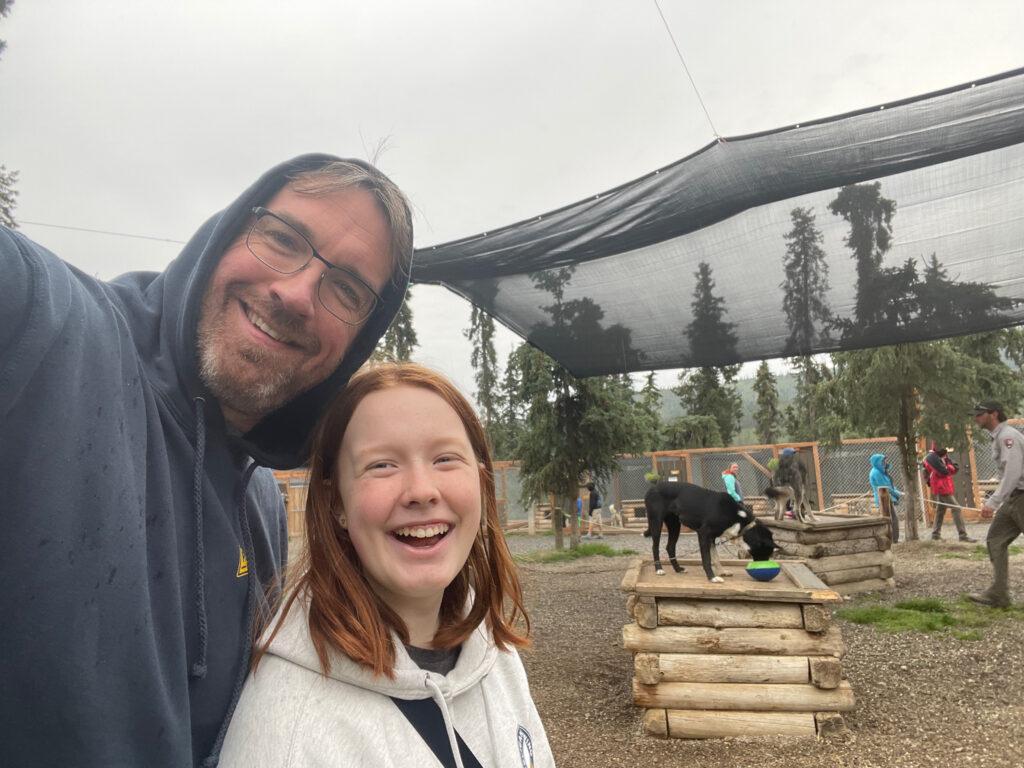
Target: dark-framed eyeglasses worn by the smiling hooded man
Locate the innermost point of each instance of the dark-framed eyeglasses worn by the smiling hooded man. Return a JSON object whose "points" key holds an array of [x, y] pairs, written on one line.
{"points": [[284, 249]]}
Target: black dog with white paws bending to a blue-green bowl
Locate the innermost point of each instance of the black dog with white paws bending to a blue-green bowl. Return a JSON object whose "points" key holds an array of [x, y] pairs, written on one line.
{"points": [[711, 515]]}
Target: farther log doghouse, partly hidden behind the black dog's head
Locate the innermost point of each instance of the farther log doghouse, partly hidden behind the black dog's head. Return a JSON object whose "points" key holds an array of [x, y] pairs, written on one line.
{"points": [[849, 554]]}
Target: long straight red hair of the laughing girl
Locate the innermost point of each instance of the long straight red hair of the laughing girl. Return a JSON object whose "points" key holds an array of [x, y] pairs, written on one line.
{"points": [[345, 613]]}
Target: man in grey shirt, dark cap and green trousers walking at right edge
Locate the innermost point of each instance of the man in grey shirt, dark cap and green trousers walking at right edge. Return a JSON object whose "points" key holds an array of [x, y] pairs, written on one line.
{"points": [[1007, 502]]}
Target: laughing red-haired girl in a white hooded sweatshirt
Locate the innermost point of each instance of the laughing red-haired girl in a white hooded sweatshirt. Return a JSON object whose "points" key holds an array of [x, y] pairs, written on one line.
{"points": [[397, 643]]}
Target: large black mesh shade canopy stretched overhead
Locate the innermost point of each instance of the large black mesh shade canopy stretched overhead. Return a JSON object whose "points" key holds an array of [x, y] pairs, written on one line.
{"points": [[900, 223]]}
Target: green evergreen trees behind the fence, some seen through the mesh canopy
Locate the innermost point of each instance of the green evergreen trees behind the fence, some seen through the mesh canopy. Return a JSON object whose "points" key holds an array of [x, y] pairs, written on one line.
{"points": [[565, 431]]}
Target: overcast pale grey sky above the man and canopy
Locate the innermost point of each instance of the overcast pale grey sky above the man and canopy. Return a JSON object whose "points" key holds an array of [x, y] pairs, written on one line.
{"points": [[145, 118]]}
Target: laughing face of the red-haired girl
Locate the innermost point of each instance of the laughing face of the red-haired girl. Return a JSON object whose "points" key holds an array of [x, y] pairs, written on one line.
{"points": [[409, 484]]}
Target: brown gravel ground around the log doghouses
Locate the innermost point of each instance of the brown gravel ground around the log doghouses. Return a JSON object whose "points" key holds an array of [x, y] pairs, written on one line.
{"points": [[922, 700]]}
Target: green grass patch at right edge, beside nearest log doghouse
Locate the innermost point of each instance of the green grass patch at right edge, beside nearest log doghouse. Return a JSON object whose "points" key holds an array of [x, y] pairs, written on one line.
{"points": [[963, 620]]}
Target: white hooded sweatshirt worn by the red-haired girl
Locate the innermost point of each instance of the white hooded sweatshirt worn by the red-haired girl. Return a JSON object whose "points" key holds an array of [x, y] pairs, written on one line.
{"points": [[290, 715]]}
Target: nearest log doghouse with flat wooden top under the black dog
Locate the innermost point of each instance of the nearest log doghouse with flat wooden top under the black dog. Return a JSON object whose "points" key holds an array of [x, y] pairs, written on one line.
{"points": [[742, 658]]}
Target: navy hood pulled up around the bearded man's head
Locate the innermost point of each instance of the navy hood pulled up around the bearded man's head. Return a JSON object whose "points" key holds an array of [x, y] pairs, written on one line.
{"points": [[166, 310]]}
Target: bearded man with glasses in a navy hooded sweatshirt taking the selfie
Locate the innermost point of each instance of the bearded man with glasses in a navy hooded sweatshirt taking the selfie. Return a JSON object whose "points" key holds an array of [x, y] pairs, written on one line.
{"points": [[144, 531]]}
